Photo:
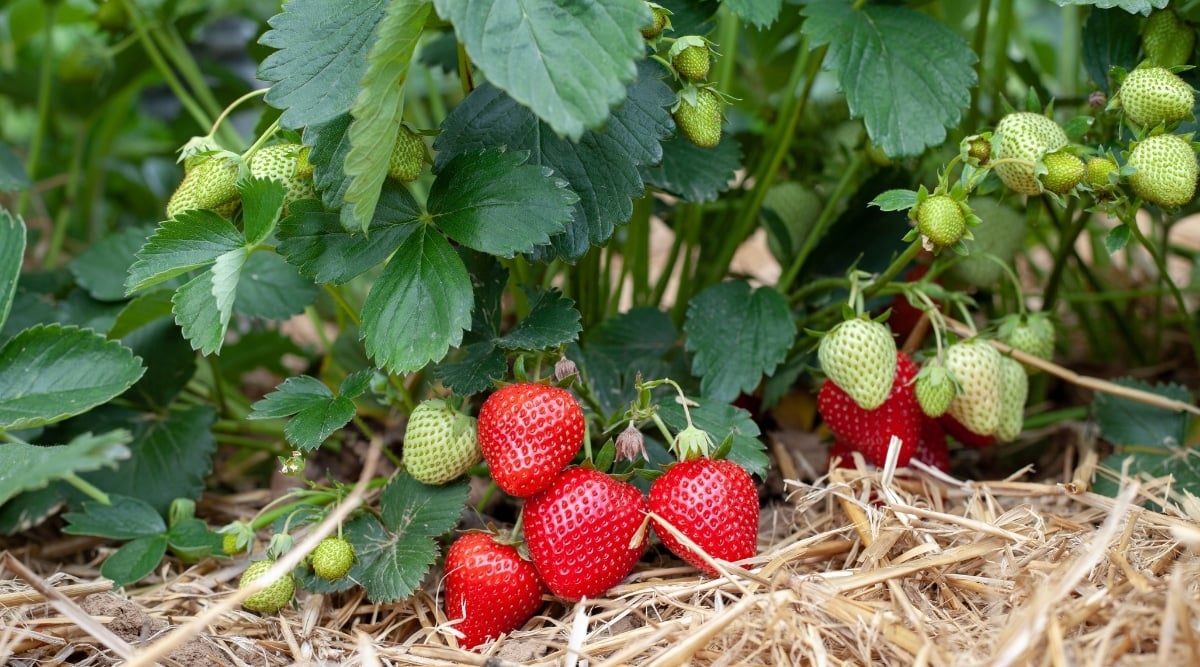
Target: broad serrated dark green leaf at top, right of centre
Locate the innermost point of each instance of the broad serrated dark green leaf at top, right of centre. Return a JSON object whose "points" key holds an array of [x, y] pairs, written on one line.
{"points": [[908, 76]]}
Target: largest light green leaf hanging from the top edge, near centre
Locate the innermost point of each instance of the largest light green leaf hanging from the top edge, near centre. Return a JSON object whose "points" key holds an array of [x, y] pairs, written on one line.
{"points": [[568, 62]]}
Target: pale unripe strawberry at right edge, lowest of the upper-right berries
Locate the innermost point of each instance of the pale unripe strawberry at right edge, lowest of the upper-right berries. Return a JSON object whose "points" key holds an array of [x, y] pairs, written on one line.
{"points": [[1167, 171]]}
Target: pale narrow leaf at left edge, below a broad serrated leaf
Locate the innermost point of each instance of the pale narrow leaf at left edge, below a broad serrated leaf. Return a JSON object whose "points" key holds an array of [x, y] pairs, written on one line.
{"points": [[33, 467]]}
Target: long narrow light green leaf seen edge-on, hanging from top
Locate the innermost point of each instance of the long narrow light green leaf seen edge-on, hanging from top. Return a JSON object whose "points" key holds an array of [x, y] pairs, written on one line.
{"points": [[380, 105]]}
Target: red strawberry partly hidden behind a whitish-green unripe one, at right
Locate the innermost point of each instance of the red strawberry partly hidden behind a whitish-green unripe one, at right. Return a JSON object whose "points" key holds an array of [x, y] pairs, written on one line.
{"points": [[871, 431]]}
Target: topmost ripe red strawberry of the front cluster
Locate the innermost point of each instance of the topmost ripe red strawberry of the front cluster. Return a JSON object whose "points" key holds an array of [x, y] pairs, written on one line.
{"points": [[529, 434]]}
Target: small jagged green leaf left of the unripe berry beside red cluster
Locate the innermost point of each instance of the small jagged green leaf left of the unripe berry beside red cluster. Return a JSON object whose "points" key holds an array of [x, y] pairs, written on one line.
{"points": [[319, 412]]}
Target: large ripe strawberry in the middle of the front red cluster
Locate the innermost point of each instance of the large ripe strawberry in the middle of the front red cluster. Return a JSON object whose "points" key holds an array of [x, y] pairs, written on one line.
{"points": [[580, 530]]}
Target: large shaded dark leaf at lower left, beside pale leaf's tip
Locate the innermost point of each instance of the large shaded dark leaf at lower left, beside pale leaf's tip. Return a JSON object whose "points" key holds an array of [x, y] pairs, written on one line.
{"points": [[172, 455]]}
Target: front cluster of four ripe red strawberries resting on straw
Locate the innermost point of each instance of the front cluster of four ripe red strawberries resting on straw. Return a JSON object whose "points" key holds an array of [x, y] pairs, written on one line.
{"points": [[585, 531]]}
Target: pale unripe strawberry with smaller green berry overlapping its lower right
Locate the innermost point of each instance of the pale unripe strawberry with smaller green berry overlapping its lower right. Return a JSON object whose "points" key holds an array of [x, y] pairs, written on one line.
{"points": [[1024, 137]]}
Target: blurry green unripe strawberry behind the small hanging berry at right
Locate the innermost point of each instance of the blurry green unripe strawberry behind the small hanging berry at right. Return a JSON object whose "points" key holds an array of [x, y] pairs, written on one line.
{"points": [[1000, 233]]}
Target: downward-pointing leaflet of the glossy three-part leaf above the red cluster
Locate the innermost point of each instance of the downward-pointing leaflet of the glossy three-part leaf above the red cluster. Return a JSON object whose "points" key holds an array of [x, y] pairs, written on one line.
{"points": [[421, 305]]}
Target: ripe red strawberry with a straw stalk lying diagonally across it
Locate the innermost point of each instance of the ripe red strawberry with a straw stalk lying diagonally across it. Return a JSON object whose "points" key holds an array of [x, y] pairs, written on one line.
{"points": [[715, 503]]}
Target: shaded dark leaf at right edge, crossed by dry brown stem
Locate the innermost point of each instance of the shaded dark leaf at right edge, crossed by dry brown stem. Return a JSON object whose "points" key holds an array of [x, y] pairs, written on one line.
{"points": [[1132, 424]]}
